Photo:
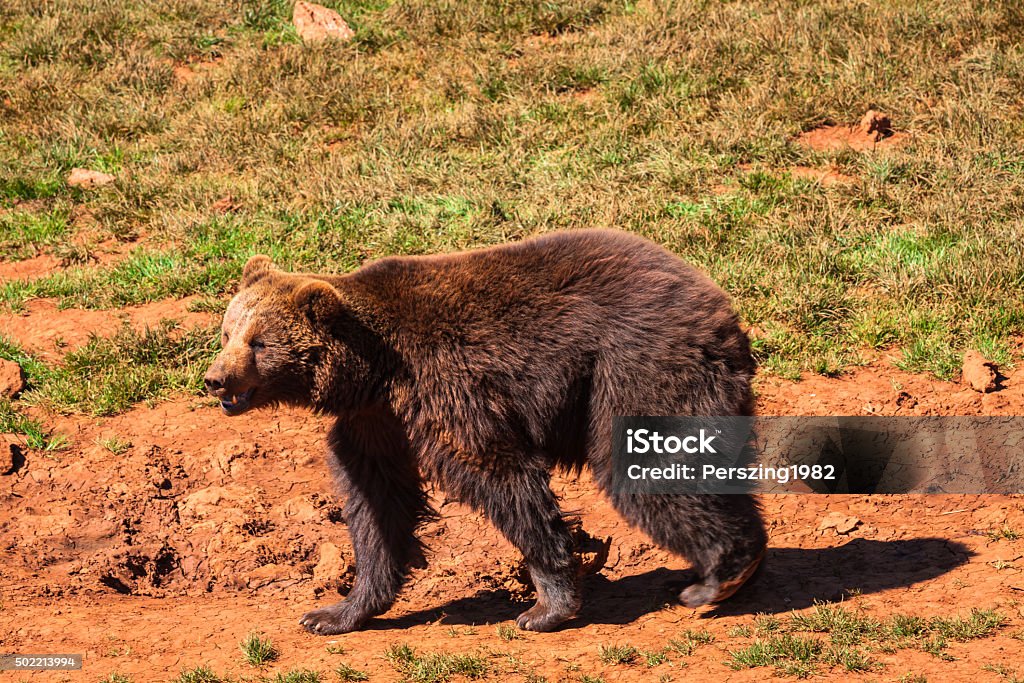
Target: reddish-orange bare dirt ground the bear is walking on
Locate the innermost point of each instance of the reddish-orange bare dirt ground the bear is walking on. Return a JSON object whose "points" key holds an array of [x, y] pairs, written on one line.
{"points": [[207, 529]]}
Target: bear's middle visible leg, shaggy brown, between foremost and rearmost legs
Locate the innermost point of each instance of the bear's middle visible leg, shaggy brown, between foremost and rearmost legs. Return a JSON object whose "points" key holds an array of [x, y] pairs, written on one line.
{"points": [[525, 509]]}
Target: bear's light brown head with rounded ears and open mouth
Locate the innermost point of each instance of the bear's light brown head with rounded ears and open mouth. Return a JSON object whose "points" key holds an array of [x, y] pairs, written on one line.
{"points": [[275, 334]]}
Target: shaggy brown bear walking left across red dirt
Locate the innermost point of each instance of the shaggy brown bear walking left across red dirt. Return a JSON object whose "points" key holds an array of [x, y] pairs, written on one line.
{"points": [[483, 372]]}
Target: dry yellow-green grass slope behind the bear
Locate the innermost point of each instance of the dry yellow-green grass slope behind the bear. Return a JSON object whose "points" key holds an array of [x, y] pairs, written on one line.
{"points": [[446, 125]]}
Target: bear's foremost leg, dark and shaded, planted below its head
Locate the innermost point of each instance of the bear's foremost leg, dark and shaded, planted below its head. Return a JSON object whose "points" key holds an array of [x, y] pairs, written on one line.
{"points": [[385, 504]]}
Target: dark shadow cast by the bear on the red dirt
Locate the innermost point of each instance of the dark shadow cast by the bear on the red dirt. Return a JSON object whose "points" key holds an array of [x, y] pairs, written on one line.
{"points": [[789, 579]]}
